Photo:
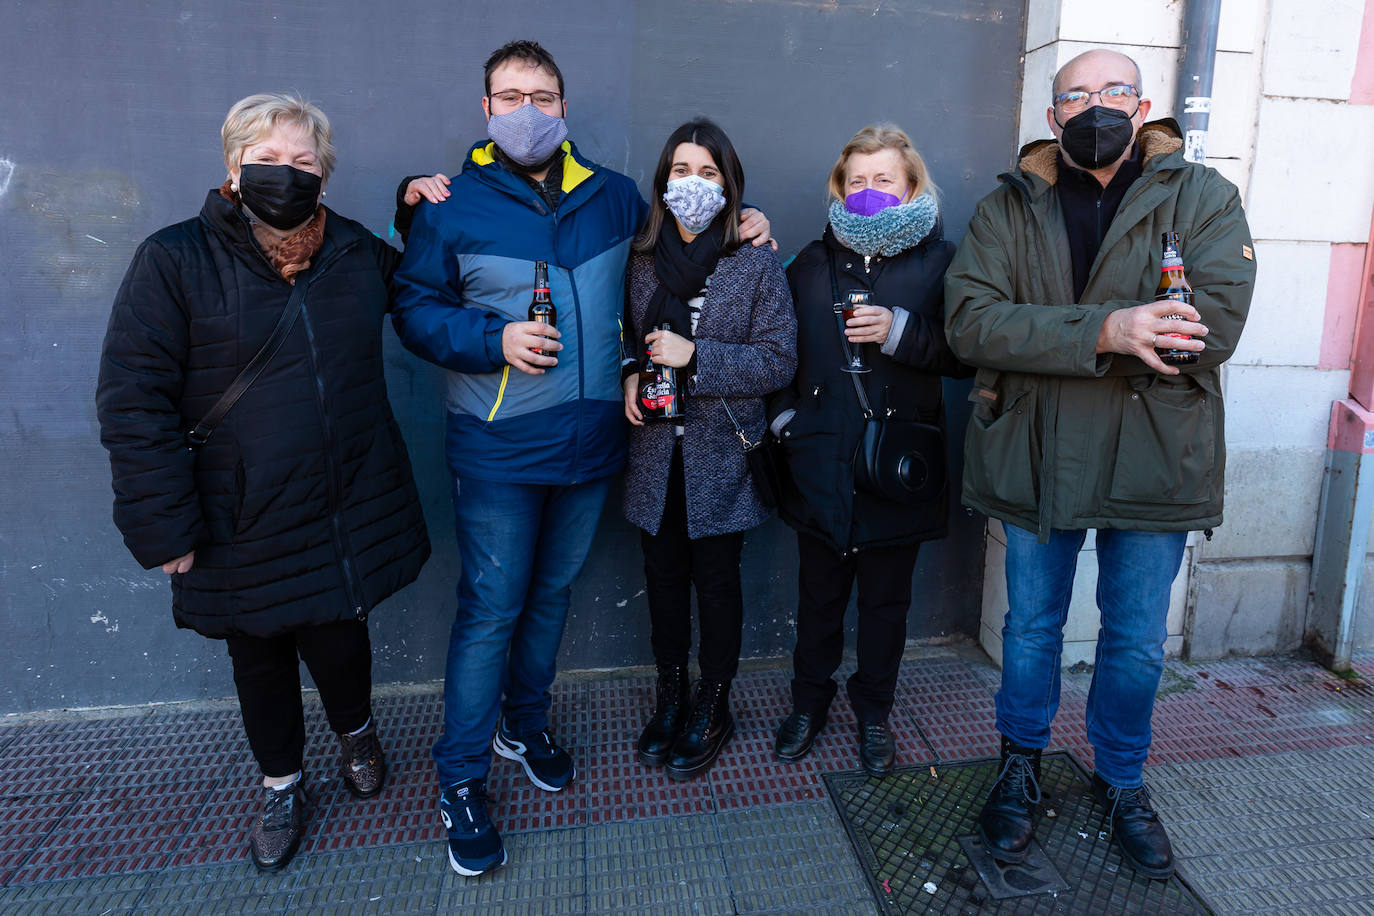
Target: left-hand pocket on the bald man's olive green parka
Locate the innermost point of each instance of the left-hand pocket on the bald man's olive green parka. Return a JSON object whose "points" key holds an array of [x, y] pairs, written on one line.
{"points": [[1002, 450]]}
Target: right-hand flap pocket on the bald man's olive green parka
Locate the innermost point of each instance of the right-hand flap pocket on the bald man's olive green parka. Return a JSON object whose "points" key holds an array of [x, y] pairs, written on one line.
{"points": [[1167, 446]]}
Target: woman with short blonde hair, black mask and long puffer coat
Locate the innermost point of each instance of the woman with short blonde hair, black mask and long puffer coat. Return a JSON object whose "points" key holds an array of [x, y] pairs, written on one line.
{"points": [[255, 455]]}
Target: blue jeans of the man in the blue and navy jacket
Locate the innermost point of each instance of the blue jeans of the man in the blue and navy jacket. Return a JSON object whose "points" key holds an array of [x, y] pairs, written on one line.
{"points": [[521, 547]]}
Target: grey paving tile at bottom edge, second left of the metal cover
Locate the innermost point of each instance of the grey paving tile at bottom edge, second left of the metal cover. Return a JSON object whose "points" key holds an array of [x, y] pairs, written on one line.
{"points": [[667, 866]]}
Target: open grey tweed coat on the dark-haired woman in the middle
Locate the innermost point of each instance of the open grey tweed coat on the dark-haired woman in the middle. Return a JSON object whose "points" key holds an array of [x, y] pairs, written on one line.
{"points": [[747, 350]]}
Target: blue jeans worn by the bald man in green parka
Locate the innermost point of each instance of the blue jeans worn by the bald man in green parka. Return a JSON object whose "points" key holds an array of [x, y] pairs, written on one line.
{"points": [[1136, 572]]}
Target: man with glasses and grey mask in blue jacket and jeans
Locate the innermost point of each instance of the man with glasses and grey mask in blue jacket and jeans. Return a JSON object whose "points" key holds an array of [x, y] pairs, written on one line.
{"points": [[535, 417]]}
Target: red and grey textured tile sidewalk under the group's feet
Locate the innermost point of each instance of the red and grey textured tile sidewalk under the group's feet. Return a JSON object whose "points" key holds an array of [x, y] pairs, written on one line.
{"points": [[1262, 770]]}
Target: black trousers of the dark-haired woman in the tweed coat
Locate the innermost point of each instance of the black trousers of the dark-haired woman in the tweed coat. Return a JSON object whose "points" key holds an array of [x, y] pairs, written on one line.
{"points": [[674, 564]]}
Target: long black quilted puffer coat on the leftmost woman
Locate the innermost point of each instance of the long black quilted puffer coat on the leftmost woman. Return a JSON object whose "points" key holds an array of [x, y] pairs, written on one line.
{"points": [[302, 509]]}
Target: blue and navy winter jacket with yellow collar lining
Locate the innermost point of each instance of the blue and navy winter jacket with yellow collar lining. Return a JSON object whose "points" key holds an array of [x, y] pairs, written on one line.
{"points": [[469, 270]]}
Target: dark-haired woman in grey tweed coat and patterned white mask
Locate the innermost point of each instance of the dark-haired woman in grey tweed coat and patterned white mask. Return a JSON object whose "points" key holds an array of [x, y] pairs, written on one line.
{"points": [[688, 488]]}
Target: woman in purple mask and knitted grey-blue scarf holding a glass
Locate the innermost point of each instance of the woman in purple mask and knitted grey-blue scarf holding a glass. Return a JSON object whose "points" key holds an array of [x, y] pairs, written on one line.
{"points": [[884, 237]]}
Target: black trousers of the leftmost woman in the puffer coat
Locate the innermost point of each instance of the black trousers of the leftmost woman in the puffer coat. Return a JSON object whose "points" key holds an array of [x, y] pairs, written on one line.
{"points": [[269, 676]]}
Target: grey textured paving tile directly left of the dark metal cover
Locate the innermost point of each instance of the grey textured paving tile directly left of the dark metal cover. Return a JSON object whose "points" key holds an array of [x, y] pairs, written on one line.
{"points": [[792, 859]]}
